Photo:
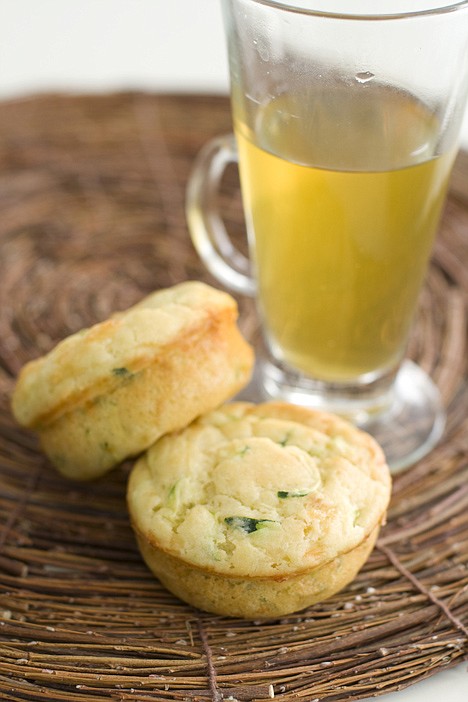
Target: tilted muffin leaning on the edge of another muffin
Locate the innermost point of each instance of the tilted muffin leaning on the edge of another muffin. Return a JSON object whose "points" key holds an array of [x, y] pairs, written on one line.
{"points": [[108, 392]]}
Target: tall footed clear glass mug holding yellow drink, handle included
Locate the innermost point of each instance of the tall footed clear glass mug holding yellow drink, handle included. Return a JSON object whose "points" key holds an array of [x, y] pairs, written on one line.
{"points": [[346, 117]]}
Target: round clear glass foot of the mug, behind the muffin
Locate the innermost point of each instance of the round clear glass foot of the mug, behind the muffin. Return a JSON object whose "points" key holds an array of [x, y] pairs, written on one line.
{"points": [[407, 420]]}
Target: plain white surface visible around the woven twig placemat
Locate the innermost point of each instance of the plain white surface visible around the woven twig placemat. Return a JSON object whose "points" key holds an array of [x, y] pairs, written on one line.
{"points": [[157, 45]]}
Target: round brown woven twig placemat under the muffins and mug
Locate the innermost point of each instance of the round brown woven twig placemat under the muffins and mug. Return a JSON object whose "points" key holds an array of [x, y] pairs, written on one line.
{"points": [[92, 219]]}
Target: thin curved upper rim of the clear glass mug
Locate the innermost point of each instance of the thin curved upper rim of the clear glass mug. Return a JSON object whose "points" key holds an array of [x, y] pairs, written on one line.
{"points": [[298, 9]]}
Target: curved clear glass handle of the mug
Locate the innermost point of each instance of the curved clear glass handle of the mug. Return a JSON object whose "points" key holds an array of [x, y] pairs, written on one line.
{"points": [[207, 230]]}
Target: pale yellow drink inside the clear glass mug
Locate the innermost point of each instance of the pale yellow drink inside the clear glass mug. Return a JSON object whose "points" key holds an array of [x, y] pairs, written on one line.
{"points": [[342, 200]]}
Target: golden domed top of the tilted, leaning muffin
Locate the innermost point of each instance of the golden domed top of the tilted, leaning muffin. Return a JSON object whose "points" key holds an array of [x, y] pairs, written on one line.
{"points": [[94, 360]]}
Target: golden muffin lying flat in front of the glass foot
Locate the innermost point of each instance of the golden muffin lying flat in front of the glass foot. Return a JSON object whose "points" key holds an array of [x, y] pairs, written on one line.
{"points": [[259, 510]]}
